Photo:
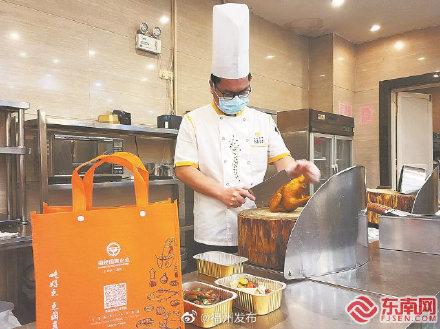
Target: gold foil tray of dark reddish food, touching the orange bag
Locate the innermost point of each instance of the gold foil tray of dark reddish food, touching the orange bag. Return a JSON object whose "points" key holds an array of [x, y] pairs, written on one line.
{"points": [[208, 316]]}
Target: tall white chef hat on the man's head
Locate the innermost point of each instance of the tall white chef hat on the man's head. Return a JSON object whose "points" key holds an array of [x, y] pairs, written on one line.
{"points": [[230, 40]]}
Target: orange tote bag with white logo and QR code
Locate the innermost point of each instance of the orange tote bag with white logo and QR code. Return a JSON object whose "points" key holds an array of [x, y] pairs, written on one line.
{"points": [[108, 267]]}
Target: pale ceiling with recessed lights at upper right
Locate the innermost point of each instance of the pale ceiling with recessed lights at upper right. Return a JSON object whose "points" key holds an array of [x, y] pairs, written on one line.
{"points": [[353, 20]]}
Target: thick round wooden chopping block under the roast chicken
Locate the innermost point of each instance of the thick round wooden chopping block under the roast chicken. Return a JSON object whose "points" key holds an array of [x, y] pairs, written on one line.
{"points": [[263, 236]]}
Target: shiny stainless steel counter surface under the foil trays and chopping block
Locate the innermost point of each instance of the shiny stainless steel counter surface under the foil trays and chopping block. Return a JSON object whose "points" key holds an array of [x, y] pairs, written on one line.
{"points": [[320, 302]]}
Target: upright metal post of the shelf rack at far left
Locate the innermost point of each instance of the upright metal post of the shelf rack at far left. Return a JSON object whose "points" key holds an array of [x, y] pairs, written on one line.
{"points": [[22, 169]]}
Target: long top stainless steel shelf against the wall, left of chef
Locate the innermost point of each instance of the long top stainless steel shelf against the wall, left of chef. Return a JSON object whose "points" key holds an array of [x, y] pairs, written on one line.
{"points": [[91, 125]]}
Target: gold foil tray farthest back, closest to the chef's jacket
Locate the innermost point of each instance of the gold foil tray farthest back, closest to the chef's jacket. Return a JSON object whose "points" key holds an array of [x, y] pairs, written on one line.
{"points": [[219, 264]]}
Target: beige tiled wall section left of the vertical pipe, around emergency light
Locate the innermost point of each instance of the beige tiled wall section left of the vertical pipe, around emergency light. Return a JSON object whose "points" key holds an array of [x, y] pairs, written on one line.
{"points": [[76, 59]]}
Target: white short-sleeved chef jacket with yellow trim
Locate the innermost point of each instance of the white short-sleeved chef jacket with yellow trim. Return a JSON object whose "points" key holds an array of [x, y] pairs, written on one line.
{"points": [[232, 150]]}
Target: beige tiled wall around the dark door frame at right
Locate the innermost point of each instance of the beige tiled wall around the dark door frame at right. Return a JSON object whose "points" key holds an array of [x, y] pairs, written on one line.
{"points": [[399, 56]]}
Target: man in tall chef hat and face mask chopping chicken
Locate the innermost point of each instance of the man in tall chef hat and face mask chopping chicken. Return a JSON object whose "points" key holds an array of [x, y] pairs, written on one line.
{"points": [[223, 148]]}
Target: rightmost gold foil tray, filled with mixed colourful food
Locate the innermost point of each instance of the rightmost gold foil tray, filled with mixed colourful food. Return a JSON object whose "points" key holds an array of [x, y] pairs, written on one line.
{"points": [[255, 303]]}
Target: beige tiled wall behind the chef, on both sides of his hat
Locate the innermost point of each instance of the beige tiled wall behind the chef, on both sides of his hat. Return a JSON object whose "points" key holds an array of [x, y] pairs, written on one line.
{"points": [[76, 59]]}
